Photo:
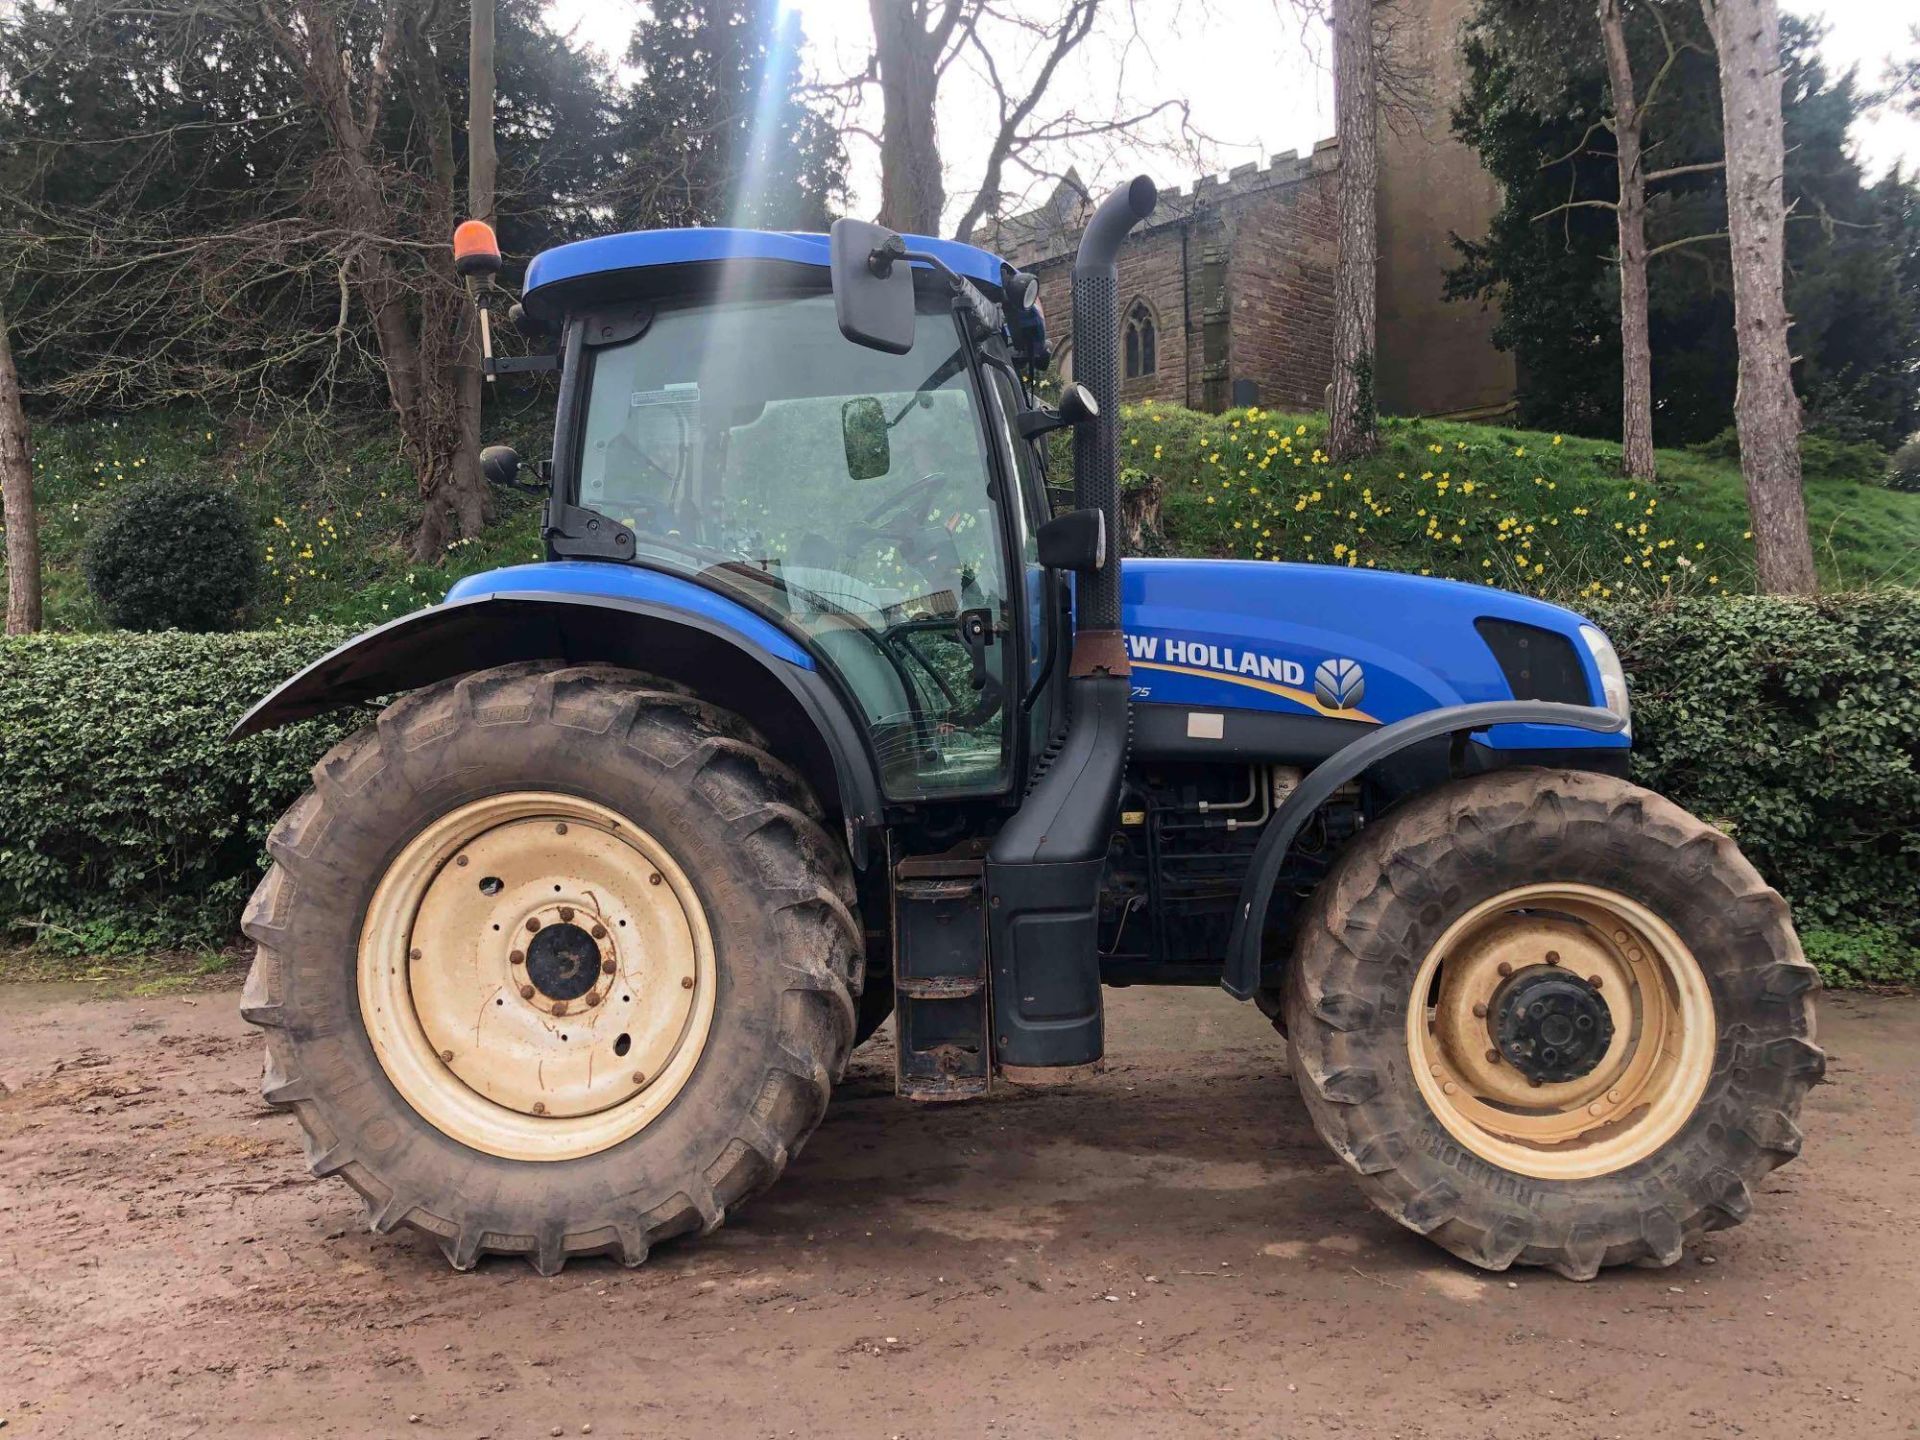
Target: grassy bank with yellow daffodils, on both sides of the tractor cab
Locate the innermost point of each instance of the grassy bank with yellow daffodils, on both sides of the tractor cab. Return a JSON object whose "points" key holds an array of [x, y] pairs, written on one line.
{"points": [[1531, 512]]}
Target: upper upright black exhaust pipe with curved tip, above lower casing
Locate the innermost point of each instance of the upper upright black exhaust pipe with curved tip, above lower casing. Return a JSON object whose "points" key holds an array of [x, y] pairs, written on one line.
{"points": [[1097, 638]]}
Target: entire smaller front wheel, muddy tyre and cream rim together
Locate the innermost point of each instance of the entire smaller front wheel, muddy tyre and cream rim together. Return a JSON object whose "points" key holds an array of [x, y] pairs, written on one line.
{"points": [[1550, 1019]]}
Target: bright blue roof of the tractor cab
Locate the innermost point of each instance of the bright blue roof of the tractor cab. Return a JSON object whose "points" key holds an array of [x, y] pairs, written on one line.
{"points": [[587, 262]]}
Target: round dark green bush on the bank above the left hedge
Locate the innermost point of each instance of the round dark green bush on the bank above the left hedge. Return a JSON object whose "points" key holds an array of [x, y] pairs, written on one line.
{"points": [[176, 558]]}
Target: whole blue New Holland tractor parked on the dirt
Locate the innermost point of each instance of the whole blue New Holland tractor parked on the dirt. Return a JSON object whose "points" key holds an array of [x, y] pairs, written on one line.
{"points": [[821, 711]]}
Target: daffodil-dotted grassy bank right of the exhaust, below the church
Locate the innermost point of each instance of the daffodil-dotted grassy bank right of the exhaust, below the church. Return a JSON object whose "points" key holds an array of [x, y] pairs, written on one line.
{"points": [[1531, 512]]}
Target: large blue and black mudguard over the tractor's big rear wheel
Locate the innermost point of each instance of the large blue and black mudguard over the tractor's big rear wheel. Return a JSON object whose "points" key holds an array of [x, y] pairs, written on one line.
{"points": [[757, 671]]}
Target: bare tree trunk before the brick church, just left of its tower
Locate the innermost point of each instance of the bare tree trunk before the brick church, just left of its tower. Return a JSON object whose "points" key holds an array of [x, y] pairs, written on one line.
{"points": [[1351, 406]]}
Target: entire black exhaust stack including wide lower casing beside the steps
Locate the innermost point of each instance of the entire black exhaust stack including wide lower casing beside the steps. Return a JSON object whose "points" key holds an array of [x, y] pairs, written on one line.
{"points": [[1044, 871]]}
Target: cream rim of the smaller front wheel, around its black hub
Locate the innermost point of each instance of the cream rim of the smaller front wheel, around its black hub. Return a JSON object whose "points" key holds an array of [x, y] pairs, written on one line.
{"points": [[1639, 1092]]}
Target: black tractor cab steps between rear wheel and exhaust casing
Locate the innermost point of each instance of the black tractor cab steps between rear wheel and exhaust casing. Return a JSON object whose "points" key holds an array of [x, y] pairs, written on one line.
{"points": [[940, 980]]}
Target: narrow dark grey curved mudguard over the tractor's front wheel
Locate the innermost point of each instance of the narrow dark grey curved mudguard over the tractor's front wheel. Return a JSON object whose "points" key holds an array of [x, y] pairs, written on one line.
{"points": [[1241, 974]]}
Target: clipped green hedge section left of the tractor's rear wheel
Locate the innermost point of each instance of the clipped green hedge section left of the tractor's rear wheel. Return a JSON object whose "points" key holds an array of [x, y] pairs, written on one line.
{"points": [[128, 819]]}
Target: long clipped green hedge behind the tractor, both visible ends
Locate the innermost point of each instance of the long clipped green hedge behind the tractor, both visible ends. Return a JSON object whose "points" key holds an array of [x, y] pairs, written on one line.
{"points": [[128, 821]]}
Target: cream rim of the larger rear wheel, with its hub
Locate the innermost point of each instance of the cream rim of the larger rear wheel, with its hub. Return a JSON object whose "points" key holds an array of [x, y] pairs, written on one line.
{"points": [[537, 976]]}
